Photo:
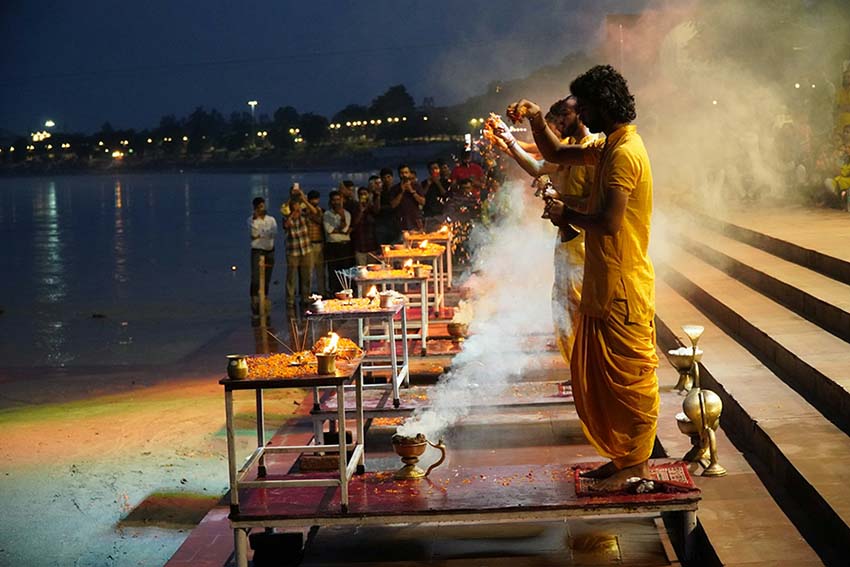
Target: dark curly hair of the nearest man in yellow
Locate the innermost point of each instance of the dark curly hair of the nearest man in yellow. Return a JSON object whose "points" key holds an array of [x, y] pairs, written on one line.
{"points": [[605, 88]]}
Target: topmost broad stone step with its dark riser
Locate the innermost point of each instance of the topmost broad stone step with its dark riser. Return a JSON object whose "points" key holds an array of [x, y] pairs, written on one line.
{"points": [[795, 234]]}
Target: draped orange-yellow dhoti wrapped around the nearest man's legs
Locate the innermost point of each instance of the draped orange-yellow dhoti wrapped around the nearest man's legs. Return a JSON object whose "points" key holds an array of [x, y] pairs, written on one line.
{"points": [[615, 385]]}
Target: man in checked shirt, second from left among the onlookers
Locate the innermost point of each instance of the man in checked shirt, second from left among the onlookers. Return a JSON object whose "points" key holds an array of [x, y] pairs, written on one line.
{"points": [[299, 253]]}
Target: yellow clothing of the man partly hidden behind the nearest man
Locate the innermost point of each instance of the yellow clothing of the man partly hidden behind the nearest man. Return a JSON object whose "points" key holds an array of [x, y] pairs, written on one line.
{"points": [[574, 181]]}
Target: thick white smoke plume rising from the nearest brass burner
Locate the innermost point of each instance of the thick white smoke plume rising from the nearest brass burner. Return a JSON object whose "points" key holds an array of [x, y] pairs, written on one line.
{"points": [[512, 280]]}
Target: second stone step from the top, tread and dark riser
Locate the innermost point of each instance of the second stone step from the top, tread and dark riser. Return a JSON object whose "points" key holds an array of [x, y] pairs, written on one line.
{"points": [[818, 298]]}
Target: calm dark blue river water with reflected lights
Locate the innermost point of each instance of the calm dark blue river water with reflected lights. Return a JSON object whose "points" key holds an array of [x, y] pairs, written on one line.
{"points": [[129, 269]]}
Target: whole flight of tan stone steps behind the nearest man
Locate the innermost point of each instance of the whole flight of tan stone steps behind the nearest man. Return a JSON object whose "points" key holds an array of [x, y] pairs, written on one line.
{"points": [[777, 353]]}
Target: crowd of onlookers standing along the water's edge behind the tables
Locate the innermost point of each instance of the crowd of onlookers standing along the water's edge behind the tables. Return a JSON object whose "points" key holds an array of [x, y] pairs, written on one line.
{"points": [[356, 221]]}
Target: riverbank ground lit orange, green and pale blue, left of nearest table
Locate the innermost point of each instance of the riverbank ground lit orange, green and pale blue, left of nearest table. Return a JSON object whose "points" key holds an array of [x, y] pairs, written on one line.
{"points": [[118, 479]]}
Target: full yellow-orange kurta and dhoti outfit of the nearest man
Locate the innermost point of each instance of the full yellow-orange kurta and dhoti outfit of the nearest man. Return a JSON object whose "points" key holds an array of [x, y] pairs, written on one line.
{"points": [[614, 360]]}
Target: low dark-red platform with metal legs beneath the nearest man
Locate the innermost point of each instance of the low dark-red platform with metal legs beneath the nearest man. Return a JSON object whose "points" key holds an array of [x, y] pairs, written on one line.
{"points": [[453, 494]]}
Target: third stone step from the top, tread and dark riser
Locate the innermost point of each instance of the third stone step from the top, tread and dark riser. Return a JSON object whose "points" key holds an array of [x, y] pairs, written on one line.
{"points": [[809, 359]]}
